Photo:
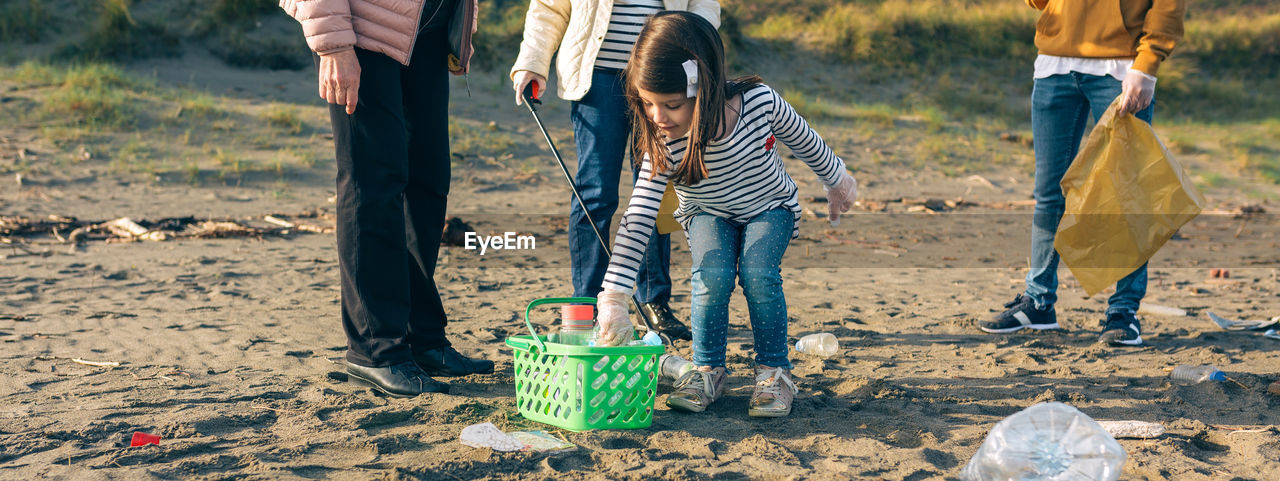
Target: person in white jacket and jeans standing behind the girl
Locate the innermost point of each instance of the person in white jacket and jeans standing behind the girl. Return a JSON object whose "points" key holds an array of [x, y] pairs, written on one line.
{"points": [[595, 40]]}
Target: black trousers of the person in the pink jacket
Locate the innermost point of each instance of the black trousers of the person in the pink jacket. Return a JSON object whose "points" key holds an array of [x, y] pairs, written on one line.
{"points": [[394, 182]]}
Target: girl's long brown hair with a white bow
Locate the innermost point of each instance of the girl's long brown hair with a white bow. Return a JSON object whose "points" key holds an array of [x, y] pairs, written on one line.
{"points": [[668, 42]]}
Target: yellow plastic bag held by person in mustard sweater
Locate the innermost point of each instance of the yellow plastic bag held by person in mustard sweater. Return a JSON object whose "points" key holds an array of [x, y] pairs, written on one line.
{"points": [[1126, 198]]}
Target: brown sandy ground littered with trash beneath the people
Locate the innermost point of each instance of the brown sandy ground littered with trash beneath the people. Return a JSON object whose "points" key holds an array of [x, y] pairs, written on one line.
{"points": [[228, 349]]}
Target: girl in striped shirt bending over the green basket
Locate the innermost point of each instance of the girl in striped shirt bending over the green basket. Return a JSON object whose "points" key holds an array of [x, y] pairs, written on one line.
{"points": [[716, 141]]}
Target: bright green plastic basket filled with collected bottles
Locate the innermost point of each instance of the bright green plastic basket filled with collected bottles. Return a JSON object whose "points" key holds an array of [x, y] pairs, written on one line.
{"points": [[583, 388]]}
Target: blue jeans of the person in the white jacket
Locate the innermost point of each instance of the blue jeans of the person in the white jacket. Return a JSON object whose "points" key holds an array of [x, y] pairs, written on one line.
{"points": [[602, 123]]}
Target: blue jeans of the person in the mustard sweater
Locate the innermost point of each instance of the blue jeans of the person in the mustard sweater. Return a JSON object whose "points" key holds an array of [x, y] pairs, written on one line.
{"points": [[1059, 108]]}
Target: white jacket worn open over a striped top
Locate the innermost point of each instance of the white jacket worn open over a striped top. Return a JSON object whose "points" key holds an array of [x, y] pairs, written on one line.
{"points": [[577, 29]]}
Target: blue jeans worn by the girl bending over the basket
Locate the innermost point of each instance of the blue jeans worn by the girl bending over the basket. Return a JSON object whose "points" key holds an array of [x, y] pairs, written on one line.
{"points": [[752, 253]]}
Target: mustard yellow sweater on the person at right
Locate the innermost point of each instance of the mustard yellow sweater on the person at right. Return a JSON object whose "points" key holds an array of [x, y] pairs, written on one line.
{"points": [[1145, 31]]}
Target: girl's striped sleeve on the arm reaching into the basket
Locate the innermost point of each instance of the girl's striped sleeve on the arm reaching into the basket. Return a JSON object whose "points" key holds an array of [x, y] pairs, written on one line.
{"points": [[636, 230]]}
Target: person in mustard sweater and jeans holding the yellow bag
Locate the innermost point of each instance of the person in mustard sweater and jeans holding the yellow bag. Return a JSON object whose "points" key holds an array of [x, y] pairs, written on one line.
{"points": [[1091, 53]]}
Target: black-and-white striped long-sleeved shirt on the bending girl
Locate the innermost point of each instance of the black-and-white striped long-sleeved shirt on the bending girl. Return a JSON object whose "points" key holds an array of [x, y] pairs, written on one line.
{"points": [[747, 177]]}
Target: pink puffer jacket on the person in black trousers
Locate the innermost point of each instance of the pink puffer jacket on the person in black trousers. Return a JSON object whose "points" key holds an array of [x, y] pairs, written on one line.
{"points": [[383, 26]]}
